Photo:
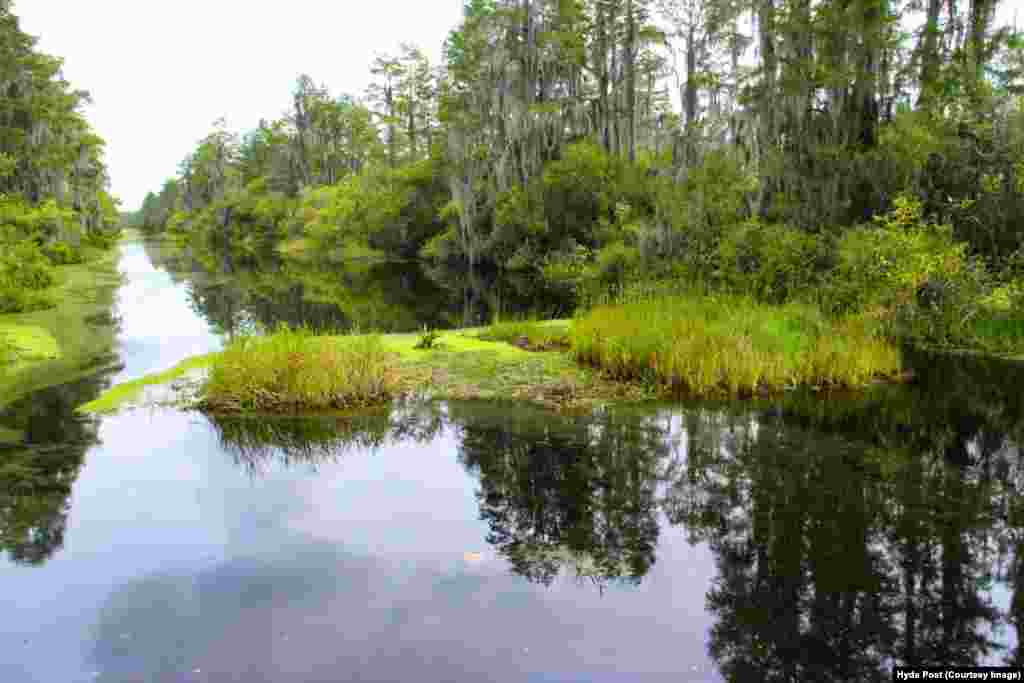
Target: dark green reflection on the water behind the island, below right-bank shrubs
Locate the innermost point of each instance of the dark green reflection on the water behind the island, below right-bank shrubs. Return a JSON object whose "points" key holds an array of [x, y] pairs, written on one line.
{"points": [[234, 291]]}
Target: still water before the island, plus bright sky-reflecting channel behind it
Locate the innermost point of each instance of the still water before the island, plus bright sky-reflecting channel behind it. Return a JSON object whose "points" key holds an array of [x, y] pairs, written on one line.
{"points": [[803, 540]]}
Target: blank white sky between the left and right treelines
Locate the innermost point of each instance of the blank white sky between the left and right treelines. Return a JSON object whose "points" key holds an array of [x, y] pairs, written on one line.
{"points": [[161, 73]]}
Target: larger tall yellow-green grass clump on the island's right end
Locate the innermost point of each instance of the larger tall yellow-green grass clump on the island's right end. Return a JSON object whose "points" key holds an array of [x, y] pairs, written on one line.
{"points": [[731, 346]]}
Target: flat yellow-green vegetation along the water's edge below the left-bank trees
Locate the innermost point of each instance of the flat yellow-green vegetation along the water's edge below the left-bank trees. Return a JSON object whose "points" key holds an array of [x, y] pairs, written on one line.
{"points": [[75, 338]]}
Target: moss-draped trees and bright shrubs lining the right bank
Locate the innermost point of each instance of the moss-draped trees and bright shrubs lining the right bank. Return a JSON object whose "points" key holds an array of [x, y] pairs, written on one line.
{"points": [[871, 151]]}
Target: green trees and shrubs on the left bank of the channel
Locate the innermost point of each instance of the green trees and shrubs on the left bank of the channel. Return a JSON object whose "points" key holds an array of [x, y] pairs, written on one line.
{"points": [[55, 204]]}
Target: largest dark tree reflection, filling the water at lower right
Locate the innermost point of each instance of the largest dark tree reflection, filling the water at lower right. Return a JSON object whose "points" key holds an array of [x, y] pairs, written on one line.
{"points": [[861, 533]]}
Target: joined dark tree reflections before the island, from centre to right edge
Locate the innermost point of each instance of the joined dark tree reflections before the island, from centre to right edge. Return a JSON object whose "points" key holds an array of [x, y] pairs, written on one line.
{"points": [[848, 535]]}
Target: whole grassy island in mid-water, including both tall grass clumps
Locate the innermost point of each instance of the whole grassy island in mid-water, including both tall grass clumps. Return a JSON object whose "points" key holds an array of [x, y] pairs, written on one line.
{"points": [[665, 348]]}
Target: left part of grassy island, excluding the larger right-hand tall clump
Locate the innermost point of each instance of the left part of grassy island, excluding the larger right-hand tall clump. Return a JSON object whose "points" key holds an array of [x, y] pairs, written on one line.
{"points": [[283, 373]]}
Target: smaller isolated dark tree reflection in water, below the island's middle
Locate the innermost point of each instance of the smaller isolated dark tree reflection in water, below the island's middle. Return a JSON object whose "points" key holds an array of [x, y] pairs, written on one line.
{"points": [[579, 493]]}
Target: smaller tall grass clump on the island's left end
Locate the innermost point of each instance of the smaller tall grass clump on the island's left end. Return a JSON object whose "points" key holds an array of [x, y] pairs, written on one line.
{"points": [[293, 370]]}
